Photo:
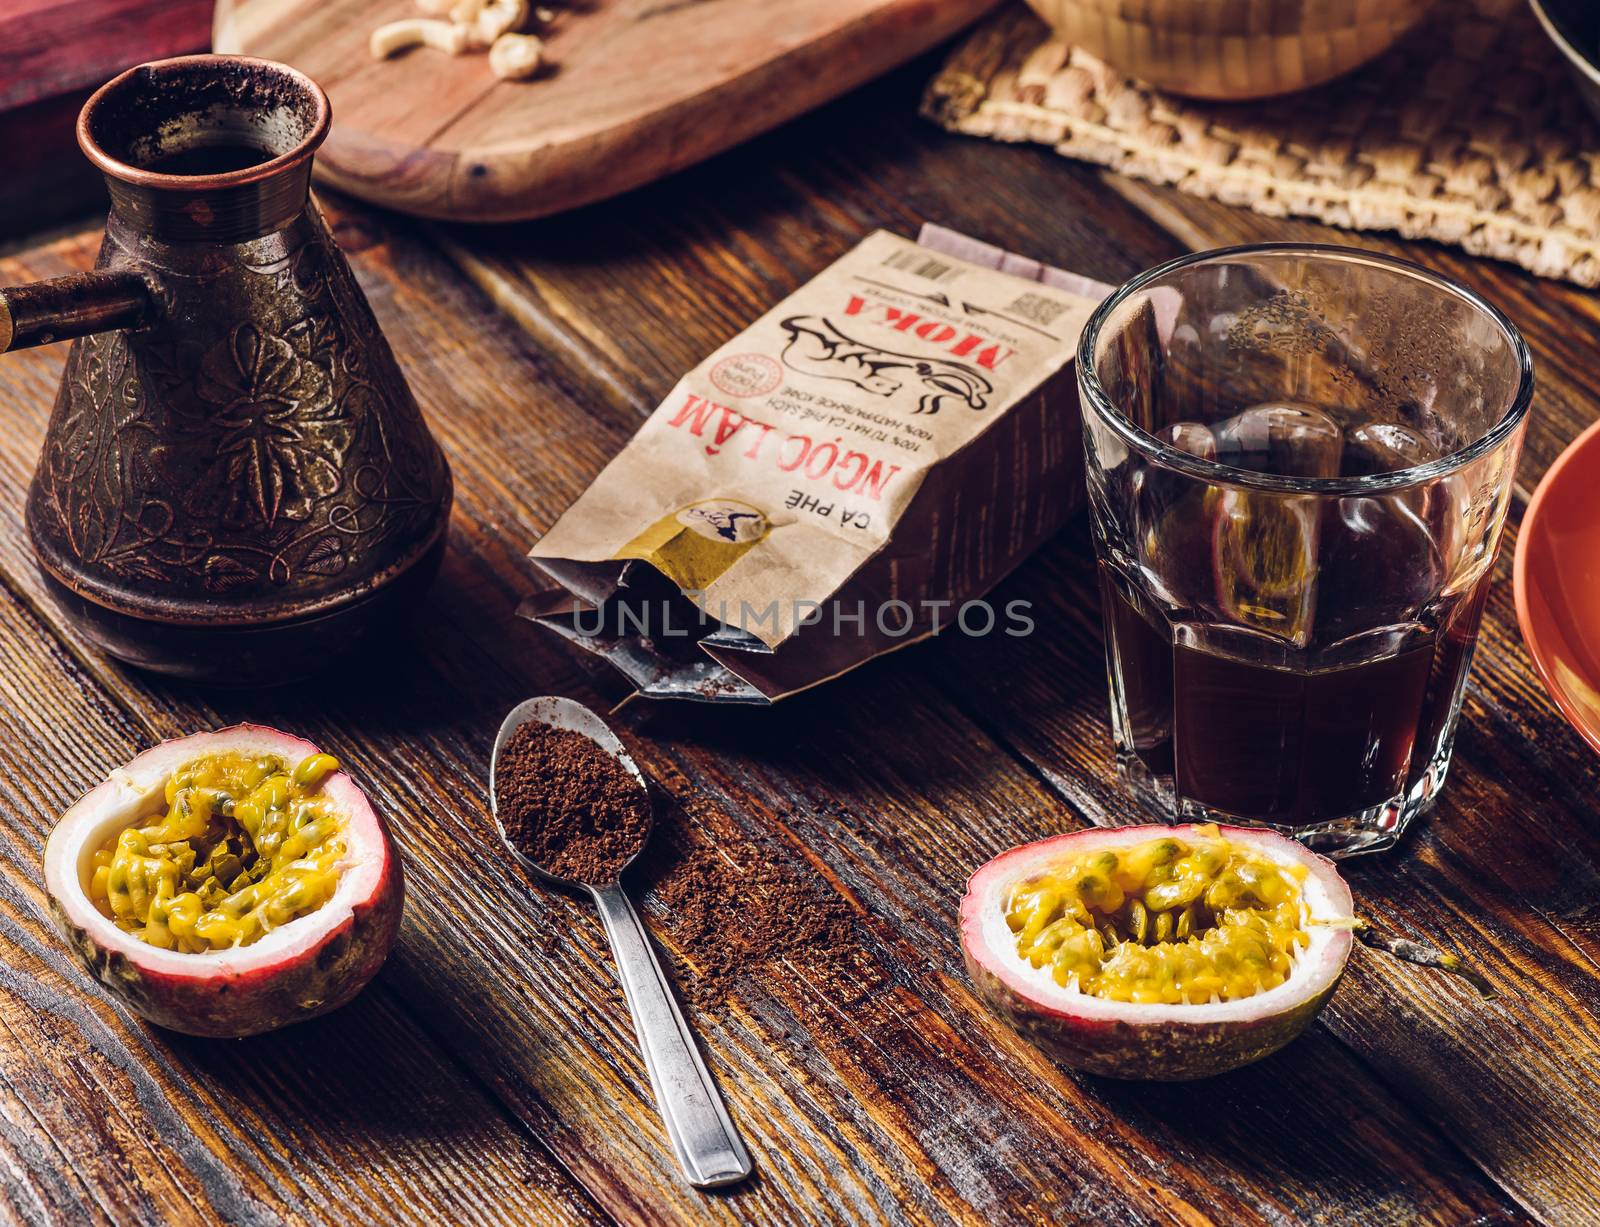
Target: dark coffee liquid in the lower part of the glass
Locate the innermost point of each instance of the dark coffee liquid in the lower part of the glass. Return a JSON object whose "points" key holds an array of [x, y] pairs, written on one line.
{"points": [[1287, 746]]}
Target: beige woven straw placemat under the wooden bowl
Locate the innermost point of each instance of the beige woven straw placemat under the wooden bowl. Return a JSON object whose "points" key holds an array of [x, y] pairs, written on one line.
{"points": [[1468, 134]]}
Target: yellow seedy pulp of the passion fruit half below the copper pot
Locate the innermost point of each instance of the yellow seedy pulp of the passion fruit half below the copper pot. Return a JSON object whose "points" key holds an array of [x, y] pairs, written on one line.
{"points": [[246, 845]]}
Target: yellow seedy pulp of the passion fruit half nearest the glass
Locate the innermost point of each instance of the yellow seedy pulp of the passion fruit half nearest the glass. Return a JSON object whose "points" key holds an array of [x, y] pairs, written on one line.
{"points": [[1177, 922]]}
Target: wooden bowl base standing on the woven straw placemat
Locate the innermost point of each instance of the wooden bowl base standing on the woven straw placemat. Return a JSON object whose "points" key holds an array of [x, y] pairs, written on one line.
{"points": [[1233, 50]]}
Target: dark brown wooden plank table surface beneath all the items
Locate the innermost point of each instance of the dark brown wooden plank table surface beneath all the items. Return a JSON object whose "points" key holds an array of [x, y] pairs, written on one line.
{"points": [[490, 1073]]}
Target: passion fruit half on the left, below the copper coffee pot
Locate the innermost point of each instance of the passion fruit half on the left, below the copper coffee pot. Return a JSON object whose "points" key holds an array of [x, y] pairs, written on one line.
{"points": [[226, 884]]}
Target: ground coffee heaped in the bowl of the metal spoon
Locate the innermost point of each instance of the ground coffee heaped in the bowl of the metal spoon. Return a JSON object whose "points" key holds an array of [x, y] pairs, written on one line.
{"points": [[569, 805]]}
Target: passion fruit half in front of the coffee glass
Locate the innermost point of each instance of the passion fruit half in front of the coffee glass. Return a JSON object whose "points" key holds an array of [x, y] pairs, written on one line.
{"points": [[1159, 953]]}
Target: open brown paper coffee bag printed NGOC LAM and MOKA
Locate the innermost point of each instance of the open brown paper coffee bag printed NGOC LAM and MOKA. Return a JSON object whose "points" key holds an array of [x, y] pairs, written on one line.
{"points": [[838, 481]]}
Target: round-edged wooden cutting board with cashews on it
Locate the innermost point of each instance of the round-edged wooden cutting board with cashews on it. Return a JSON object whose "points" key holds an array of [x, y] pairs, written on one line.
{"points": [[636, 90]]}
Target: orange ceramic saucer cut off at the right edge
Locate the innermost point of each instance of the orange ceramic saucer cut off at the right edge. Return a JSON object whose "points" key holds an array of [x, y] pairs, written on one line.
{"points": [[1559, 583]]}
